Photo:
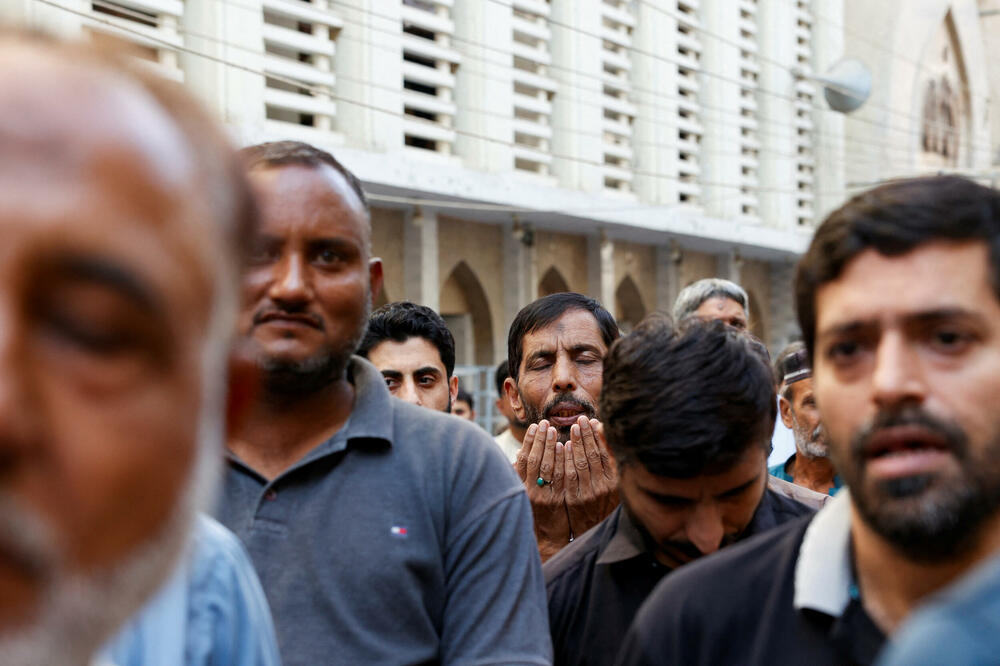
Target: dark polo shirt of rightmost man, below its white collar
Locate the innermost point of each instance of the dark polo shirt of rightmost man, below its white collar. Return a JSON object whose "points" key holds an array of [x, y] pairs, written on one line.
{"points": [[736, 607]]}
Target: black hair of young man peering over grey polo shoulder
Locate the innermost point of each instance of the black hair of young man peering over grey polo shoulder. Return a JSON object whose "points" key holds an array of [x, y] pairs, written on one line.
{"points": [[404, 320]]}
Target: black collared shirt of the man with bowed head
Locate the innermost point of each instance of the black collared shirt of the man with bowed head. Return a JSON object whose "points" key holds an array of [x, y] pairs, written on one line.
{"points": [[596, 584]]}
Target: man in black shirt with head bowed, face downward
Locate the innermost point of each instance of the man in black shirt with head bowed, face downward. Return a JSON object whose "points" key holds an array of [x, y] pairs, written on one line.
{"points": [[688, 416]]}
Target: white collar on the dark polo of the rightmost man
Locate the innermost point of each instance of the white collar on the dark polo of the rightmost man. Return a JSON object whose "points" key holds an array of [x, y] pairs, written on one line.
{"points": [[823, 570]]}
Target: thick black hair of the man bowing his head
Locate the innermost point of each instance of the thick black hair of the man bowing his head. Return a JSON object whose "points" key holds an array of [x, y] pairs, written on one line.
{"points": [[686, 402]]}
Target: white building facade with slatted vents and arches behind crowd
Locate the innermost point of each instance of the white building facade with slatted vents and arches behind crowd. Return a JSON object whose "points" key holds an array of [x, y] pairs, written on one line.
{"points": [[620, 148]]}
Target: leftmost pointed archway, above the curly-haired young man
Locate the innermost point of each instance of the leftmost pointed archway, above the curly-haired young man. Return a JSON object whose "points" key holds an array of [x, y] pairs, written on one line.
{"points": [[465, 308]]}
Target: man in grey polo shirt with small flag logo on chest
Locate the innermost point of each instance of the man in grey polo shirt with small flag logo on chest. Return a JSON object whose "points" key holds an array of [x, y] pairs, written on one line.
{"points": [[382, 532]]}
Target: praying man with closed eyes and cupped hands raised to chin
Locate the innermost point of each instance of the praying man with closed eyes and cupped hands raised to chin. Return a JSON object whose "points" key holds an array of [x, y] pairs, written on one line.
{"points": [[555, 354]]}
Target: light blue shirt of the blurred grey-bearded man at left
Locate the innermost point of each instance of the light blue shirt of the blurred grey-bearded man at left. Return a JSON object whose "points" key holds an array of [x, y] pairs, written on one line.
{"points": [[211, 611]]}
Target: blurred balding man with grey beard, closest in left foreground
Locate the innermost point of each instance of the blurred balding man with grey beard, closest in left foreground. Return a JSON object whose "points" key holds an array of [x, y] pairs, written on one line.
{"points": [[123, 214]]}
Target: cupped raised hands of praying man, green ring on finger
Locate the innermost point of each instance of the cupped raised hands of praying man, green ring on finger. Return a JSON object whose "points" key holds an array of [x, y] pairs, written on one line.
{"points": [[571, 486]]}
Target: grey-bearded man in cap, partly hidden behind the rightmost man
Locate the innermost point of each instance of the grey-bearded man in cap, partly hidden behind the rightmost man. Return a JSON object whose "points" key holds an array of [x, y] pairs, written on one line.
{"points": [[810, 465]]}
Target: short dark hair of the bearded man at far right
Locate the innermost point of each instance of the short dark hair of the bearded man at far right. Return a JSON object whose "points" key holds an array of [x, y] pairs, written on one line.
{"points": [[894, 219]]}
